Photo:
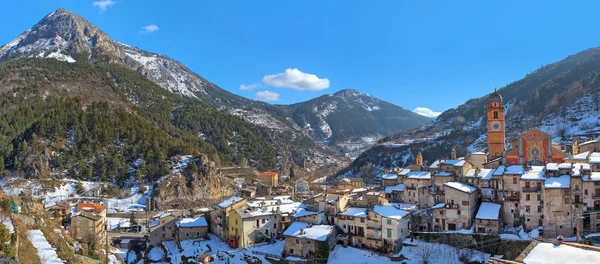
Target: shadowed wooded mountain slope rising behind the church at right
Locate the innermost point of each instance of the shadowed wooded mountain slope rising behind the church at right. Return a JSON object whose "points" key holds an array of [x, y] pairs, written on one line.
{"points": [[562, 98]]}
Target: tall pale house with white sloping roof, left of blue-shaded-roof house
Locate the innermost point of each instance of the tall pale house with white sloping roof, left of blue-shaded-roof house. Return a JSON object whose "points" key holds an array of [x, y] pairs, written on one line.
{"points": [[461, 205]]}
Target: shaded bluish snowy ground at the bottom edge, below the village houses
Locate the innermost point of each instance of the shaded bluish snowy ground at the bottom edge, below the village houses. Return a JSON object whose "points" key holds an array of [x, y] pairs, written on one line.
{"points": [[439, 253]]}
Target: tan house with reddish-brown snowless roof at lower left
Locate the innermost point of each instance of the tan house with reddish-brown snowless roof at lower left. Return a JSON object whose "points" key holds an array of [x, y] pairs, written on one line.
{"points": [[89, 220]]}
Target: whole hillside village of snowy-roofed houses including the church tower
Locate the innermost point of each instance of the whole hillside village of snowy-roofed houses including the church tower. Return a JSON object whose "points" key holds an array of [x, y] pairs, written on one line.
{"points": [[499, 207]]}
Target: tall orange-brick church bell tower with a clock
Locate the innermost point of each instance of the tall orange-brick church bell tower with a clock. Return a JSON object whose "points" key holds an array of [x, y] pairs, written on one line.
{"points": [[496, 129]]}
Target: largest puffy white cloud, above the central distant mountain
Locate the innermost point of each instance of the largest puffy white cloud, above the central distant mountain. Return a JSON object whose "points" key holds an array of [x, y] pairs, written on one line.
{"points": [[295, 79]]}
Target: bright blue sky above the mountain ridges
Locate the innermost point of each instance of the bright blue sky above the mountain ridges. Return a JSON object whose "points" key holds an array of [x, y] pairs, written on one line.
{"points": [[434, 54]]}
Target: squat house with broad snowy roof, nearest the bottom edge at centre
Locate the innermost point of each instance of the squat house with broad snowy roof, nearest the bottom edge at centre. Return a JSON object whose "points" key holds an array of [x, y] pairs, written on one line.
{"points": [[308, 241]]}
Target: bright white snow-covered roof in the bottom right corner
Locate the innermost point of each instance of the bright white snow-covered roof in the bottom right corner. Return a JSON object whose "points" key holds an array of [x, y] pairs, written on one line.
{"points": [[549, 253]]}
